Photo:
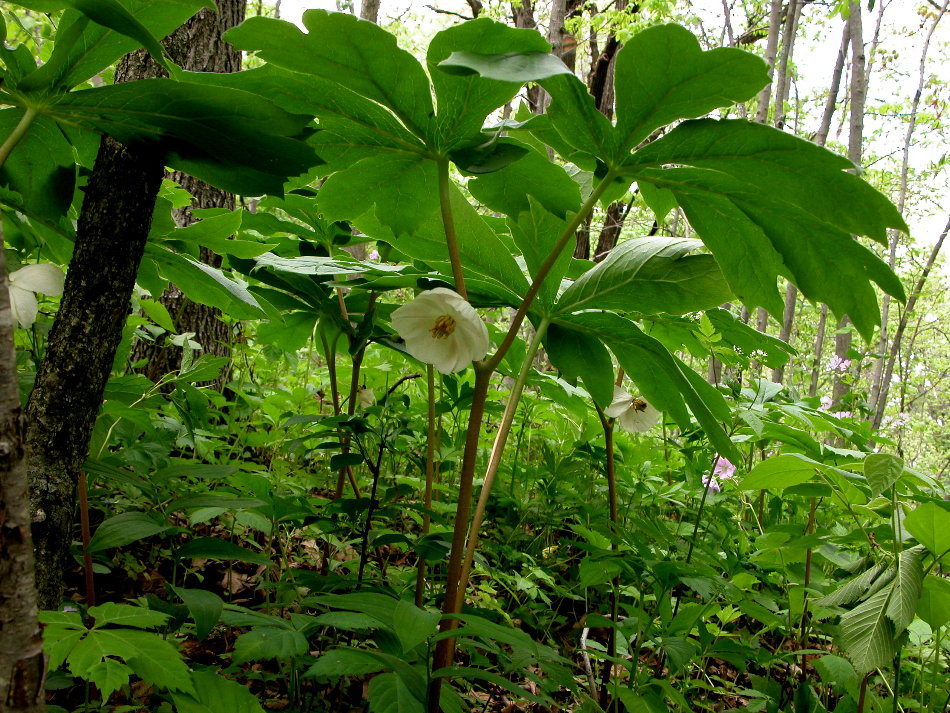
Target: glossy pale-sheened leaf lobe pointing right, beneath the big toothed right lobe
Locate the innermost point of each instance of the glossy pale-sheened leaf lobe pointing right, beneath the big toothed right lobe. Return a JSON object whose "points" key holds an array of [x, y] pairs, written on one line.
{"points": [[649, 275]]}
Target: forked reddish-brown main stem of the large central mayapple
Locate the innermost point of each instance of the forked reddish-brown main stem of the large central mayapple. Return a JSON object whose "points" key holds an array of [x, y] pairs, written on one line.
{"points": [[445, 648]]}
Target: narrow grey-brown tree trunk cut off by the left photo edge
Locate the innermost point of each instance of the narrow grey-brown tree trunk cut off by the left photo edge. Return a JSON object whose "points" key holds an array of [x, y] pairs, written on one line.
{"points": [[21, 643]]}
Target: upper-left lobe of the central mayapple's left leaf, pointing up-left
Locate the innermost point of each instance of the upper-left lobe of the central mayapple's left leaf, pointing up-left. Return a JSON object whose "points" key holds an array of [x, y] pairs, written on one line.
{"points": [[355, 54]]}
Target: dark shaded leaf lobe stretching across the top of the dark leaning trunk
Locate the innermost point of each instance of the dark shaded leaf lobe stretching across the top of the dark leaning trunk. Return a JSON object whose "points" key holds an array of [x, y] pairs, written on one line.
{"points": [[232, 139]]}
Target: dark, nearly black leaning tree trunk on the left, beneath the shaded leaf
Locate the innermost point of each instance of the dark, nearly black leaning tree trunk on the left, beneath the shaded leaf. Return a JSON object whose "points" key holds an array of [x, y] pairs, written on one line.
{"points": [[110, 238]]}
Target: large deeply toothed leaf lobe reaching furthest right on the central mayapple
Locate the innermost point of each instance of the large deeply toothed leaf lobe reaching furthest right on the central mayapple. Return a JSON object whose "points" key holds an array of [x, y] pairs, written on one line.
{"points": [[762, 201]]}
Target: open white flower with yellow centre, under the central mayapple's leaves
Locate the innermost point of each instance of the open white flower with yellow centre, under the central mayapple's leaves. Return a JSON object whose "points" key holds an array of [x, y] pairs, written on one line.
{"points": [[442, 329]]}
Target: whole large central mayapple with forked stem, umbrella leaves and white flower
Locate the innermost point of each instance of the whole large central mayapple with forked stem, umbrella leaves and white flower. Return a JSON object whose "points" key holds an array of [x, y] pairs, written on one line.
{"points": [[763, 203]]}
